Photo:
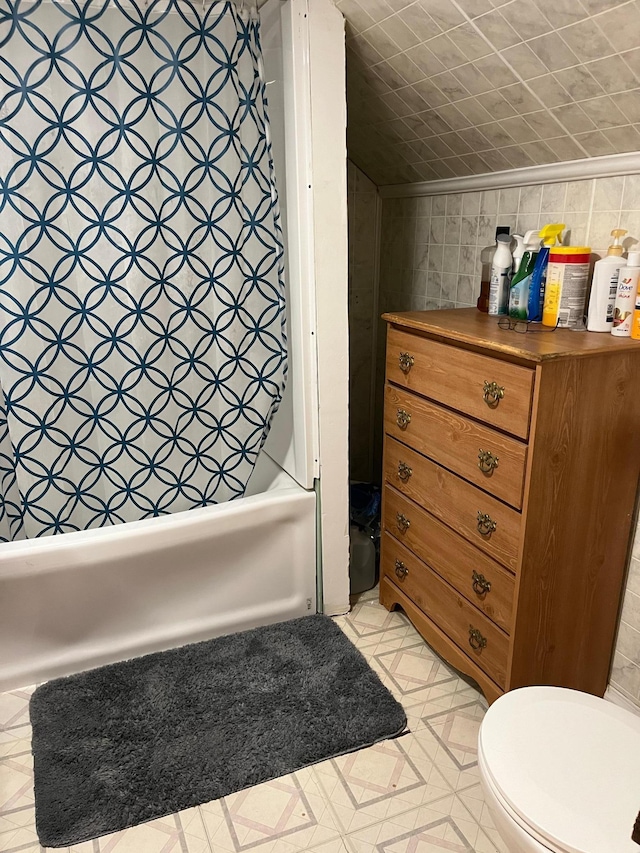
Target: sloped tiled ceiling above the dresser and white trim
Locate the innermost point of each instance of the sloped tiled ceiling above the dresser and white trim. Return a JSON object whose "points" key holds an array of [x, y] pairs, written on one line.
{"points": [[438, 88]]}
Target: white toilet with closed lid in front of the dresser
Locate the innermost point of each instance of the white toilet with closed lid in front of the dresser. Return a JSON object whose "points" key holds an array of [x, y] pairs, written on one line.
{"points": [[560, 771]]}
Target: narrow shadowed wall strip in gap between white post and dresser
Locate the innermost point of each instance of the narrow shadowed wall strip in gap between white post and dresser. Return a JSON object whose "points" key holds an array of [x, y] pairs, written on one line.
{"points": [[363, 206]]}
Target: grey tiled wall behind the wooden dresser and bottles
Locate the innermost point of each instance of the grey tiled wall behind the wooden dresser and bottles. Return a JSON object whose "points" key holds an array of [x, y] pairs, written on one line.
{"points": [[429, 259]]}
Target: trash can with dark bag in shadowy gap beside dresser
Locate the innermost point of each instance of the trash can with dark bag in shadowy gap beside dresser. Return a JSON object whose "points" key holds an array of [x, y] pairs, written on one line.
{"points": [[364, 533]]}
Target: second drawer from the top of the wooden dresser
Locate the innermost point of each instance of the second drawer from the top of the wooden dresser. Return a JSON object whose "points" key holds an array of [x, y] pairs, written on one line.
{"points": [[483, 456]]}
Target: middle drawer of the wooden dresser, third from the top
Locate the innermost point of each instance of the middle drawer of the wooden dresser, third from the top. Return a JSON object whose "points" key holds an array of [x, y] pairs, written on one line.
{"points": [[465, 508]]}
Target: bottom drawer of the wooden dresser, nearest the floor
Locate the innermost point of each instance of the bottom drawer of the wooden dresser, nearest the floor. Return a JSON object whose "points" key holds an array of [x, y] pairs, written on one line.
{"points": [[472, 632]]}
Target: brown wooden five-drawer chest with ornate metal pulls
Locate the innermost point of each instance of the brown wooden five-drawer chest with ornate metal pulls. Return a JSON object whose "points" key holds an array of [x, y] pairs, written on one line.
{"points": [[511, 466]]}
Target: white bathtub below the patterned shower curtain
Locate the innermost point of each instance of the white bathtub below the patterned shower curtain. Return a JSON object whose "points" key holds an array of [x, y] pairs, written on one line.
{"points": [[79, 600]]}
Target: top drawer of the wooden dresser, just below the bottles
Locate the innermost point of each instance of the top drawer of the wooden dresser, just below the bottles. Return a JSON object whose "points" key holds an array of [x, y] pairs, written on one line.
{"points": [[462, 380]]}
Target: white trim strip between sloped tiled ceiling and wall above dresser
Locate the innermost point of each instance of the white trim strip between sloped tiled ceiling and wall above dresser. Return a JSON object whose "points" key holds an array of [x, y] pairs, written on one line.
{"points": [[553, 173]]}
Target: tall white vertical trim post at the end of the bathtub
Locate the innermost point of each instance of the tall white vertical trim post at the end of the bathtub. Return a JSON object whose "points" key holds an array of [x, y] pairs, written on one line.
{"points": [[326, 74]]}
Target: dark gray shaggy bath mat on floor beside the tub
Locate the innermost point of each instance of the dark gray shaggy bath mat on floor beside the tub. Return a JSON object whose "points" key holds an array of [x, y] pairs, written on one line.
{"points": [[133, 741]]}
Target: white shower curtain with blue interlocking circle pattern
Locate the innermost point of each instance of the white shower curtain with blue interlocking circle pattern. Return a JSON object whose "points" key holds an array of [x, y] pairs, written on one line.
{"points": [[142, 322]]}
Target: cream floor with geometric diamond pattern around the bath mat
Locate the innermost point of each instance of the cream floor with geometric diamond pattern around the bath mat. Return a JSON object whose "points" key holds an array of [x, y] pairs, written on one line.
{"points": [[416, 794]]}
